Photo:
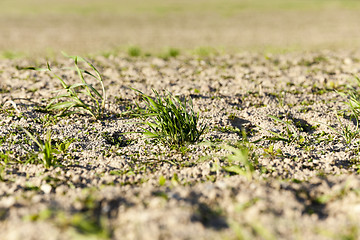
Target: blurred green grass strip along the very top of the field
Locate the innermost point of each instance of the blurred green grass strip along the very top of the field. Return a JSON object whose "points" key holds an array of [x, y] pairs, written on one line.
{"points": [[122, 7]]}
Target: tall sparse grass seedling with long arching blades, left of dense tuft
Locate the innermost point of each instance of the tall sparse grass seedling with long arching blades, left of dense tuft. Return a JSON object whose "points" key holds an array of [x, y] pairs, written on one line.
{"points": [[74, 101]]}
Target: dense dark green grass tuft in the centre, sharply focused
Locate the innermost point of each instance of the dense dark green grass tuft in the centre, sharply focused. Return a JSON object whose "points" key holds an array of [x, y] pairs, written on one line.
{"points": [[170, 120]]}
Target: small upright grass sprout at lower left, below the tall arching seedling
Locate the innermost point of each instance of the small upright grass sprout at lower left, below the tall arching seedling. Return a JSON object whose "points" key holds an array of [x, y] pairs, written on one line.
{"points": [[46, 148]]}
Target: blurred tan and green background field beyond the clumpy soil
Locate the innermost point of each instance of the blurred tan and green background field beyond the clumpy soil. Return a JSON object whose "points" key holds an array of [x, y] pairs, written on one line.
{"points": [[47, 27]]}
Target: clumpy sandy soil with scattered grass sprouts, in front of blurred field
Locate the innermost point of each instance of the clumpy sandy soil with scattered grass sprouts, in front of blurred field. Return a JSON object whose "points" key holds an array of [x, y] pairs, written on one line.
{"points": [[278, 157]]}
